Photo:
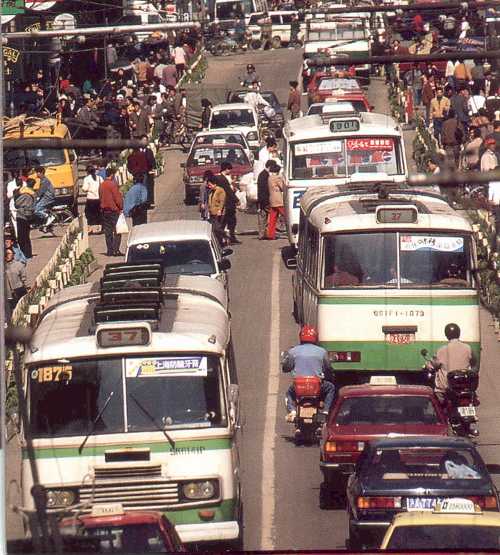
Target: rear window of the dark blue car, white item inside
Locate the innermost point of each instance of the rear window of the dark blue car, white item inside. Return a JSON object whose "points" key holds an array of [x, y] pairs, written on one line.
{"points": [[423, 463]]}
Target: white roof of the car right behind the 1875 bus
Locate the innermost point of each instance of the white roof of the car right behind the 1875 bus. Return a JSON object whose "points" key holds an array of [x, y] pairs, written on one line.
{"points": [[171, 230]]}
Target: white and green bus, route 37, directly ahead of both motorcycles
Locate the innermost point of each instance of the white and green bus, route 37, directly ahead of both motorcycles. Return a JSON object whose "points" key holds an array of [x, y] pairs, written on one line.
{"points": [[380, 274]]}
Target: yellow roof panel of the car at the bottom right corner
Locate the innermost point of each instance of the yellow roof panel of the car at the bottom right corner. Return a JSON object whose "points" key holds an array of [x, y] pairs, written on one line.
{"points": [[429, 518]]}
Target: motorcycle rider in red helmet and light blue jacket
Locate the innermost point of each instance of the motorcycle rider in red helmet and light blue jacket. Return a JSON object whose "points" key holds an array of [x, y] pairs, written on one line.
{"points": [[308, 359]]}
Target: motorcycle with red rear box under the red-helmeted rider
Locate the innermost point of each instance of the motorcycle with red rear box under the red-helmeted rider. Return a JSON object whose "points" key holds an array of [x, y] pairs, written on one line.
{"points": [[309, 418]]}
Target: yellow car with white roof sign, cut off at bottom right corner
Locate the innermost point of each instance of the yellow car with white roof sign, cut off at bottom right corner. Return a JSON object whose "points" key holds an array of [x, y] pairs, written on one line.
{"points": [[458, 525]]}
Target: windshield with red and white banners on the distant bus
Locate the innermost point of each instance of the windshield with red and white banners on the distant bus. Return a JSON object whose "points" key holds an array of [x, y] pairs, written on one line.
{"points": [[342, 157]]}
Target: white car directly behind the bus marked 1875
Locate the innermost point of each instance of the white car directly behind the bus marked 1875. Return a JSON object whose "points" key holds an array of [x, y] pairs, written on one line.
{"points": [[183, 247]]}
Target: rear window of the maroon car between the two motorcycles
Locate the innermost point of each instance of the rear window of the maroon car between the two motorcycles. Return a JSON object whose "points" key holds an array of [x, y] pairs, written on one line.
{"points": [[386, 409]]}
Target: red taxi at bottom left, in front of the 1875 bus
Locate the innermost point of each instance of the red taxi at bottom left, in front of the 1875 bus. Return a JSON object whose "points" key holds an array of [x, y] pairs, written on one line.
{"points": [[122, 531]]}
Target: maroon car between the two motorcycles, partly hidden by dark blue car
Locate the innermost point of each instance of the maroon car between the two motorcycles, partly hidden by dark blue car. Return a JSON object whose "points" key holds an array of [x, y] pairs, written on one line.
{"points": [[365, 412]]}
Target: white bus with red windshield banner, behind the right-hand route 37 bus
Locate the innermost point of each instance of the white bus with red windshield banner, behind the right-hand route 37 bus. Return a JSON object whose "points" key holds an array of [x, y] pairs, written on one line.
{"points": [[340, 145]]}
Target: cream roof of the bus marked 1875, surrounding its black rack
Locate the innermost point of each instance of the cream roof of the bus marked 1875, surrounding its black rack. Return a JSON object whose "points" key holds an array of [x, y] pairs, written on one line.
{"points": [[193, 318]]}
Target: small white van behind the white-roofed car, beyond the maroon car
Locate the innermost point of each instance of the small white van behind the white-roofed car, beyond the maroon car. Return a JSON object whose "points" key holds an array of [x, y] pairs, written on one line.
{"points": [[239, 116]]}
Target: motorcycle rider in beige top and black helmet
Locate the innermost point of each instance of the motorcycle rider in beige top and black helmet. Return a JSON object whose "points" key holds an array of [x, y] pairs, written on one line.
{"points": [[455, 355]]}
